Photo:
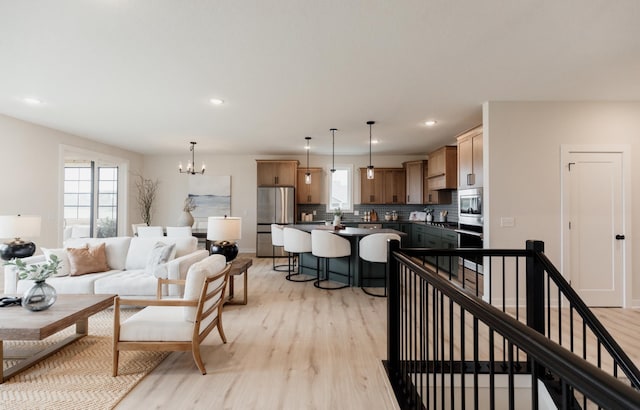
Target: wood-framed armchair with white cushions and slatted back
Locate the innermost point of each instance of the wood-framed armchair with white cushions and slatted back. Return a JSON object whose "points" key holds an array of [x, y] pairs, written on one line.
{"points": [[176, 324]]}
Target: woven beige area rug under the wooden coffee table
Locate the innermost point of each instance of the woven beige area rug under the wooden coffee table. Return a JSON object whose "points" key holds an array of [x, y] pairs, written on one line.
{"points": [[79, 375]]}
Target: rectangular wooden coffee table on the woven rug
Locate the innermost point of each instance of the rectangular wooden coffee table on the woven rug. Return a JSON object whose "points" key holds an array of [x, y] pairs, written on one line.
{"points": [[17, 323]]}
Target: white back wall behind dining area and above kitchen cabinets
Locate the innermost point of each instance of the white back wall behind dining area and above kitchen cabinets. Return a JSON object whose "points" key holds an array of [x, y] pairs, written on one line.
{"points": [[174, 187]]}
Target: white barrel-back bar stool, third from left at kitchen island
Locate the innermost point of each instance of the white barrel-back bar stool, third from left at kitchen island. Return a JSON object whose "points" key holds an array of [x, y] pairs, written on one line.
{"points": [[327, 245]]}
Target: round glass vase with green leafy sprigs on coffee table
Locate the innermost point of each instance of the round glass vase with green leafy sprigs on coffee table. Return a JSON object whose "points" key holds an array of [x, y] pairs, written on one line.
{"points": [[41, 295]]}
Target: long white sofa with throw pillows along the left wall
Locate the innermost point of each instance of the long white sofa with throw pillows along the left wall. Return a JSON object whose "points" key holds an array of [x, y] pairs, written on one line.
{"points": [[127, 258]]}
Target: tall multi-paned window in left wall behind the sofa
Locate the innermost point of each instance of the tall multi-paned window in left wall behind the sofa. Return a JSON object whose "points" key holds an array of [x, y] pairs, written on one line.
{"points": [[90, 200]]}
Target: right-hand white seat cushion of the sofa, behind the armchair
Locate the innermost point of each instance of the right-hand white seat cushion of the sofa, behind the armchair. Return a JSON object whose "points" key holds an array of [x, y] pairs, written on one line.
{"points": [[127, 283]]}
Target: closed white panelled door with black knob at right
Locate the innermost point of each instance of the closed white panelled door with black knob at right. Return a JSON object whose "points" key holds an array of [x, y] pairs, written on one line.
{"points": [[594, 228]]}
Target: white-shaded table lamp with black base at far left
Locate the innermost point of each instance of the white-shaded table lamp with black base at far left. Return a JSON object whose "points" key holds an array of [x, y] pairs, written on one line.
{"points": [[16, 227]]}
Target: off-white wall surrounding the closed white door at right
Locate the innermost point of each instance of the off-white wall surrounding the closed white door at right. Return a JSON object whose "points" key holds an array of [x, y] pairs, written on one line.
{"points": [[522, 147]]}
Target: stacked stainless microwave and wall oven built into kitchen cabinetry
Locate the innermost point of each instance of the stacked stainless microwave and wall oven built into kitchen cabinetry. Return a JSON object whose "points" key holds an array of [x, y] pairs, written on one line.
{"points": [[470, 224]]}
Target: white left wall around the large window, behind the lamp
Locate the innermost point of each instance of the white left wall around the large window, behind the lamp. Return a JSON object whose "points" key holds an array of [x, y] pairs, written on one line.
{"points": [[31, 173]]}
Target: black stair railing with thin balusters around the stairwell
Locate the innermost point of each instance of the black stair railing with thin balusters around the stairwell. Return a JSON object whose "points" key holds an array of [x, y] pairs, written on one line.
{"points": [[447, 348]]}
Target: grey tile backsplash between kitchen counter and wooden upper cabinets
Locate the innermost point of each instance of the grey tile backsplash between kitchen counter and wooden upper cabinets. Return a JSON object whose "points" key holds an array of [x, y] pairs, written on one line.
{"points": [[403, 211]]}
